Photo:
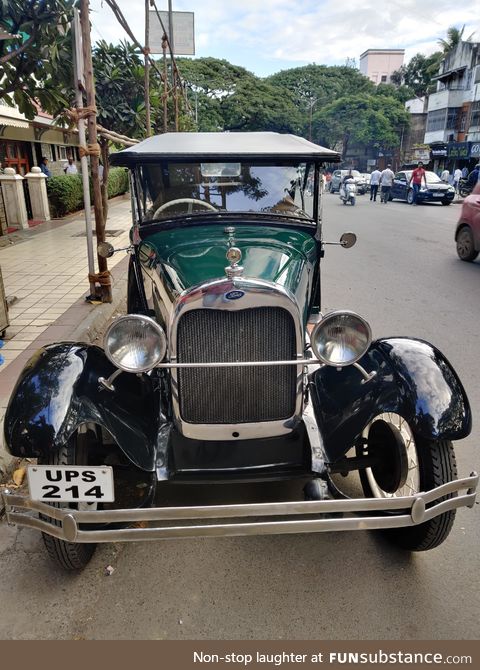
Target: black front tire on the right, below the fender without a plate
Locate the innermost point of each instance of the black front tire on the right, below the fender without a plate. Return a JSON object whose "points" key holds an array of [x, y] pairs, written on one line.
{"points": [[437, 466]]}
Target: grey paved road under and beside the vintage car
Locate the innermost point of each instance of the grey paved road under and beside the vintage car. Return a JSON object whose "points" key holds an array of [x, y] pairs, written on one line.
{"points": [[403, 275]]}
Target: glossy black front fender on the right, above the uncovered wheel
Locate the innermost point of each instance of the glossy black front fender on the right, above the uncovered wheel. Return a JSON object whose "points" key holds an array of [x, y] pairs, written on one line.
{"points": [[412, 379]]}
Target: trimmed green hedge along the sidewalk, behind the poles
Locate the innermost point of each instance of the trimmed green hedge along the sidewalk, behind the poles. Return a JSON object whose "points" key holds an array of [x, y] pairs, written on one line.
{"points": [[65, 192]]}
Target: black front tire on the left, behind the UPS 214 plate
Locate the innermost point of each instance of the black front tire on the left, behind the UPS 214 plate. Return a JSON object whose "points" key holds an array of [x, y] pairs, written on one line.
{"points": [[70, 556]]}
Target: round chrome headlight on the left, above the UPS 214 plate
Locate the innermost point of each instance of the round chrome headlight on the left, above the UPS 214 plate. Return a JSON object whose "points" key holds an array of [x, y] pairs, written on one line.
{"points": [[135, 343]]}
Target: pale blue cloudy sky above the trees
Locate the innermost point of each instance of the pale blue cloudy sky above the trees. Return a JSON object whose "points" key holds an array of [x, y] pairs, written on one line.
{"points": [[266, 36]]}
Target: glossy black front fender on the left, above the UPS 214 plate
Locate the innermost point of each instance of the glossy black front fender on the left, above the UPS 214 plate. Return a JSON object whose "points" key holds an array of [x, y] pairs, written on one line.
{"points": [[58, 390]]}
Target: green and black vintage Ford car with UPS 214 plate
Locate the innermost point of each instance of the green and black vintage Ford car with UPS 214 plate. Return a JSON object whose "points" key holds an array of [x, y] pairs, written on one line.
{"points": [[225, 371]]}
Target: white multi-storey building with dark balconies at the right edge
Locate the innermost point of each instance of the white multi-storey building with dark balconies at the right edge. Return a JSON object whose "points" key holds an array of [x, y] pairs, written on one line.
{"points": [[453, 121]]}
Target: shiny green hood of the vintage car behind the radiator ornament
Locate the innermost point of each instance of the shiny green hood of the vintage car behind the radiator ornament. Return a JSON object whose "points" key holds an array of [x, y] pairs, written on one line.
{"points": [[186, 256]]}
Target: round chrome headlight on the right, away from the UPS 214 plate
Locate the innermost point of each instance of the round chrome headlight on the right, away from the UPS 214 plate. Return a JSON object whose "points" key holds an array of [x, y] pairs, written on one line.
{"points": [[341, 338]]}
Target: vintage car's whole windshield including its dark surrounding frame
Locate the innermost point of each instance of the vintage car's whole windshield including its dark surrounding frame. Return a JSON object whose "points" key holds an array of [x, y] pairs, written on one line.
{"points": [[269, 188]]}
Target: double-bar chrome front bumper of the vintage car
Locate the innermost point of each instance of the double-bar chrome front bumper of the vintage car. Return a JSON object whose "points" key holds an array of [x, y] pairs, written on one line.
{"points": [[353, 514]]}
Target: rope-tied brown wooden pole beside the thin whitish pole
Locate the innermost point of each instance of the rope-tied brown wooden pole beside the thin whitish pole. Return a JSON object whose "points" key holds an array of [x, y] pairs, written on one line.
{"points": [[92, 137]]}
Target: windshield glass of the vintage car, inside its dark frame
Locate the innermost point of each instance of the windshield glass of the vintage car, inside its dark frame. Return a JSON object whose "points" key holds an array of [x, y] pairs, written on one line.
{"points": [[170, 190]]}
